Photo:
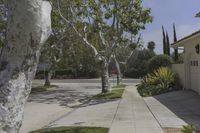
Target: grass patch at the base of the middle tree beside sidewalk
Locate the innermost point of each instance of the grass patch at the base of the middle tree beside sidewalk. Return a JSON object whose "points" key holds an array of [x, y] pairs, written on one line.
{"points": [[116, 92]]}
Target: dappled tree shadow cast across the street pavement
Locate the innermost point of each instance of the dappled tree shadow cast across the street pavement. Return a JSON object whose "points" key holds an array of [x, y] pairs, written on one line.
{"points": [[69, 96]]}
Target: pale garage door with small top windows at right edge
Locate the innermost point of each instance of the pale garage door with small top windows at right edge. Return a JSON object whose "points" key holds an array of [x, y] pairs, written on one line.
{"points": [[194, 75]]}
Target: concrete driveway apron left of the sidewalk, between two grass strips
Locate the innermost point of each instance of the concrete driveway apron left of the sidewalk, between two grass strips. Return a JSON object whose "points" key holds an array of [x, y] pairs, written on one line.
{"points": [[97, 114]]}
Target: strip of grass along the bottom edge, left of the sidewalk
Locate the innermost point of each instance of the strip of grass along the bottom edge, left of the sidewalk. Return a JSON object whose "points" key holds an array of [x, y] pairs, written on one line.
{"points": [[72, 130]]}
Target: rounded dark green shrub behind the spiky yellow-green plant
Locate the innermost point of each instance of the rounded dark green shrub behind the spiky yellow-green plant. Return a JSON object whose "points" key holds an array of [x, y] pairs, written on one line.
{"points": [[159, 61]]}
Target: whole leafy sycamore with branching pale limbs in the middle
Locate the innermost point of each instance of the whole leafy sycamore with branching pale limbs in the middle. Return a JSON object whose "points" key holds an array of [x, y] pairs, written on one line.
{"points": [[118, 17]]}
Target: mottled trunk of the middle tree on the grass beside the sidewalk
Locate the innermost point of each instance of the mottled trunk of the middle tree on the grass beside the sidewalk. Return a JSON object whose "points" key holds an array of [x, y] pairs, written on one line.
{"points": [[105, 77]]}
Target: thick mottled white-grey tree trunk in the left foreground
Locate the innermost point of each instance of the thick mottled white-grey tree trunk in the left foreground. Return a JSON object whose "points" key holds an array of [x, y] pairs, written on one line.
{"points": [[29, 25]]}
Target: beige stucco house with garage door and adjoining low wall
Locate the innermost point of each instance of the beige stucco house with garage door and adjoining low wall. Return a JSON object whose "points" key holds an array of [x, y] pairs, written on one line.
{"points": [[189, 71]]}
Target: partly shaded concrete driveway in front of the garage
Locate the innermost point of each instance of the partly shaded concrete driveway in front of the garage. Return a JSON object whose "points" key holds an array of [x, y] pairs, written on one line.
{"points": [[176, 109]]}
